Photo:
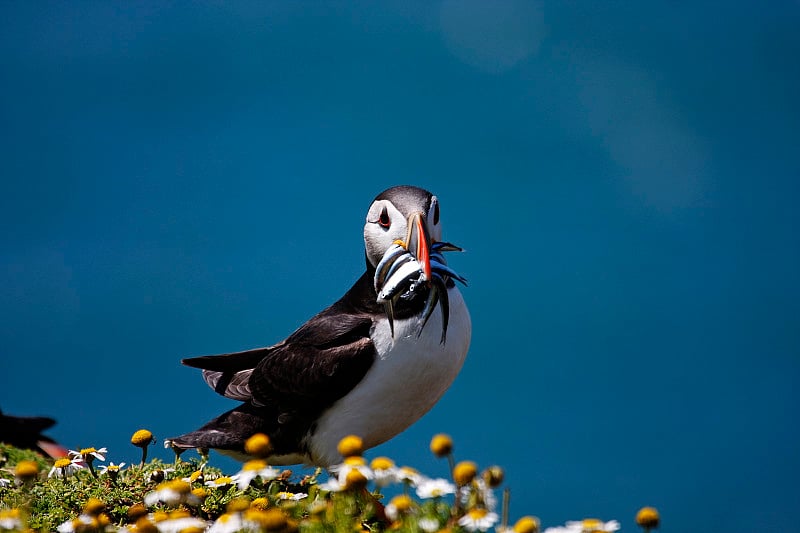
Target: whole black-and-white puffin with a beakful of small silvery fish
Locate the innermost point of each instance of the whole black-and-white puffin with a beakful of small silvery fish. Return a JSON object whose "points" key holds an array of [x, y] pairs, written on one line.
{"points": [[358, 367]]}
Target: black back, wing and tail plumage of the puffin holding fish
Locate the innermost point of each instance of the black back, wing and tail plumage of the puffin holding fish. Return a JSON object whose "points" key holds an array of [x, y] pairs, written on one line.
{"points": [[287, 386]]}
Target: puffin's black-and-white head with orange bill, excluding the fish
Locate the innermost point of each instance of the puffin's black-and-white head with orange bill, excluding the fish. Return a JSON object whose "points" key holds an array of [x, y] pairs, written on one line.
{"points": [[406, 214]]}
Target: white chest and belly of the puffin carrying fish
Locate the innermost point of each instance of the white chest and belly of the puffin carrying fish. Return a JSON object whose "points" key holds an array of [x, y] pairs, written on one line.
{"points": [[408, 377]]}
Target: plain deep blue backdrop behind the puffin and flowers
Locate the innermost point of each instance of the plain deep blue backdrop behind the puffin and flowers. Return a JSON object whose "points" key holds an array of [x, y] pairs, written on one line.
{"points": [[185, 179]]}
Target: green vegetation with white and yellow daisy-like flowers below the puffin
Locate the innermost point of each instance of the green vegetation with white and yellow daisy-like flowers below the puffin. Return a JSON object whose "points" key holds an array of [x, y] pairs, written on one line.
{"points": [[78, 494]]}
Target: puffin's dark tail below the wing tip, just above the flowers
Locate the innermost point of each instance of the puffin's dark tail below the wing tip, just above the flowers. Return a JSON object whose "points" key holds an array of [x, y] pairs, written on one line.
{"points": [[226, 433]]}
